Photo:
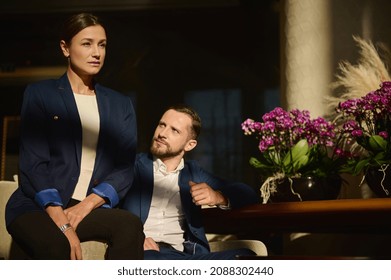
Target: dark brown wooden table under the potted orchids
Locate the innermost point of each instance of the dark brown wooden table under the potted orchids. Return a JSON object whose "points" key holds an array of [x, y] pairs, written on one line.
{"points": [[326, 216]]}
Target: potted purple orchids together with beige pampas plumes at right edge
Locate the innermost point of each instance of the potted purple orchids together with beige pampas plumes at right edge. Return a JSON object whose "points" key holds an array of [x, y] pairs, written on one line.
{"points": [[361, 111]]}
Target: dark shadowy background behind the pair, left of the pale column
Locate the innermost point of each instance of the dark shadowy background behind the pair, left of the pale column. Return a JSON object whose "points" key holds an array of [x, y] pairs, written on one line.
{"points": [[219, 58]]}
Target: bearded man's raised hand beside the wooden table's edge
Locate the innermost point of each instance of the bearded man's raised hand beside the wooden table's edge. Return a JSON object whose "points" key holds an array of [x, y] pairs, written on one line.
{"points": [[203, 194]]}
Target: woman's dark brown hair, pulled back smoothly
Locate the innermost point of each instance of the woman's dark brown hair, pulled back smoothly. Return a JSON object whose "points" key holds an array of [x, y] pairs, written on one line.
{"points": [[76, 23]]}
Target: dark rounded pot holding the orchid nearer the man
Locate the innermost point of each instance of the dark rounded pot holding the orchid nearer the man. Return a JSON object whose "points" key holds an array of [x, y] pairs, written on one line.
{"points": [[307, 188]]}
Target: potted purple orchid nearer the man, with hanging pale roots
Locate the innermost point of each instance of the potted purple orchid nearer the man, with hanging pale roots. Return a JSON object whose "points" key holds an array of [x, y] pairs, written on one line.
{"points": [[294, 146]]}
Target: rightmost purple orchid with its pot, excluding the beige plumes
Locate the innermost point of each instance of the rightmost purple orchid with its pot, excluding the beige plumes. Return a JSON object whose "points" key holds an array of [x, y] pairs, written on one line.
{"points": [[366, 129]]}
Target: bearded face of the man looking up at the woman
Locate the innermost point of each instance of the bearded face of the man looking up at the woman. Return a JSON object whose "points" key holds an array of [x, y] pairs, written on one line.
{"points": [[172, 135]]}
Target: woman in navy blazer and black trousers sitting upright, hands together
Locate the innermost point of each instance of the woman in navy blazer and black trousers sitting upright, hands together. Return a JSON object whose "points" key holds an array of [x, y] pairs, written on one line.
{"points": [[77, 150]]}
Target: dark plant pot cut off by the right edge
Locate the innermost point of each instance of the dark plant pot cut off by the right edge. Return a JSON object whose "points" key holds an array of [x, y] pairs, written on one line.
{"points": [[379, 181]]}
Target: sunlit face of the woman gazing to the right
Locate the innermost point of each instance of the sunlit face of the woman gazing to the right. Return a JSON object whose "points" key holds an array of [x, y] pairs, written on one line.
{"points": [[87, 50]]}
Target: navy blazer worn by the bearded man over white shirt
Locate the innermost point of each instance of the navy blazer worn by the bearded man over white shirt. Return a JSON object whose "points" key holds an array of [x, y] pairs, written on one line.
{"points": [[138, 199]]}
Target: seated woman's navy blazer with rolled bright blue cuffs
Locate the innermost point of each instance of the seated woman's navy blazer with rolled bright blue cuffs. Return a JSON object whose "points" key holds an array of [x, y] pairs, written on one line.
{"points": [[51, 144]]}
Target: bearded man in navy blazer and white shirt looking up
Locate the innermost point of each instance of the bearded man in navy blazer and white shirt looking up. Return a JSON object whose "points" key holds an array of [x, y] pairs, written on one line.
{"points": [[168, 192]]}
